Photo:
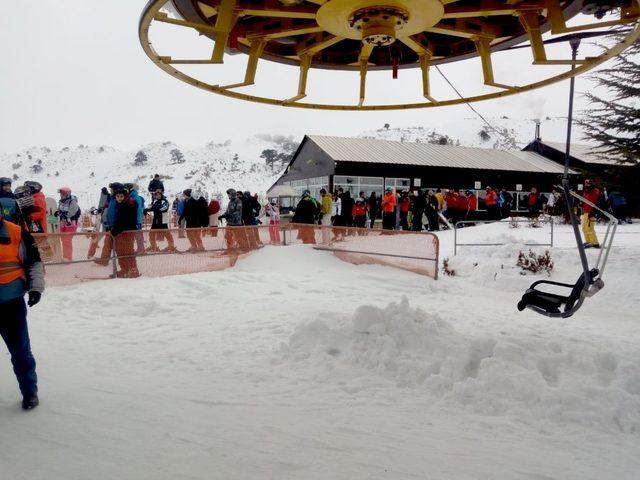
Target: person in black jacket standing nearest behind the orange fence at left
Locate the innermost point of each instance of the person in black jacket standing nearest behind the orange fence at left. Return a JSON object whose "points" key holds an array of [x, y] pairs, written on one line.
{"points": [[123, 231]]}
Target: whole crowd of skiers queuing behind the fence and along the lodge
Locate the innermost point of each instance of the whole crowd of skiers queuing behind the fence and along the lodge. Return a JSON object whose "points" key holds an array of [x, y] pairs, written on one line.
{"points": [[122, 208]]}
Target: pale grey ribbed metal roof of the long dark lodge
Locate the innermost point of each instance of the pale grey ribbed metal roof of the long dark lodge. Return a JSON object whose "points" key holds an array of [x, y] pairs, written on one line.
{"points": [[430, 155]]}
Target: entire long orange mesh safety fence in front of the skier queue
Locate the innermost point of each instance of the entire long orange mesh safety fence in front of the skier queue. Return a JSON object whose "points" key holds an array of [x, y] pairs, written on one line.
{"points": [[77, 257]]}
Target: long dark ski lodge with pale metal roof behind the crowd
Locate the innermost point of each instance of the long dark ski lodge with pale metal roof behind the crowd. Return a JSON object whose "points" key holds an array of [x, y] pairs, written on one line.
{"points": [[367, 165]]}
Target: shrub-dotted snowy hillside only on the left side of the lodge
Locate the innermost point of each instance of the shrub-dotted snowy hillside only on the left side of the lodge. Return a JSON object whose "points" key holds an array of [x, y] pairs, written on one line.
{"points": [[211, 168]]}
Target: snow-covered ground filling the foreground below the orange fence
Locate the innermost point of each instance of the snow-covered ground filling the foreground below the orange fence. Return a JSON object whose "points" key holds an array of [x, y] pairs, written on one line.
{"points": [[295, 365]]}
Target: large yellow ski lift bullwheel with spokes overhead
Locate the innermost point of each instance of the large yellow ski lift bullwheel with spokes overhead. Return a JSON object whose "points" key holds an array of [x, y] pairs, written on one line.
{"points": [[370, 35]]}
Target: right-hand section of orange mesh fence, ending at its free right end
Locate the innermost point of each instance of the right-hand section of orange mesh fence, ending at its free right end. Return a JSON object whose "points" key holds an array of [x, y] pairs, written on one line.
{"points": [[414, 251]]}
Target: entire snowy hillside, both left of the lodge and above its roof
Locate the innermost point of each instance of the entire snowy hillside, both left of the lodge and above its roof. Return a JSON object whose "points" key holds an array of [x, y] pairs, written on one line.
{"points": [[216, 166]]}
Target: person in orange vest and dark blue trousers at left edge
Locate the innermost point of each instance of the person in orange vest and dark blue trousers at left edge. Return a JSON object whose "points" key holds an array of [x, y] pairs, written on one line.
{"points": [[21, 272]]}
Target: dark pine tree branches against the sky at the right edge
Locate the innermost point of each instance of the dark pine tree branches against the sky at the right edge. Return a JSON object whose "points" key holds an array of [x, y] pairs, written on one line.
{"points": [[613, 122]]}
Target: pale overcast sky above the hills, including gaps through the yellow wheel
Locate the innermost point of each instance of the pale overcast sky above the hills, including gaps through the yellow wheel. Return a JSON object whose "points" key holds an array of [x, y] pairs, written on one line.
{"points": [[73, 72]]}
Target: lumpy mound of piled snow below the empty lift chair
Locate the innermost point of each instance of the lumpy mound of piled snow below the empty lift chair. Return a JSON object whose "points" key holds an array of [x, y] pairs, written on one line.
{"points": [[533, 379]]}
